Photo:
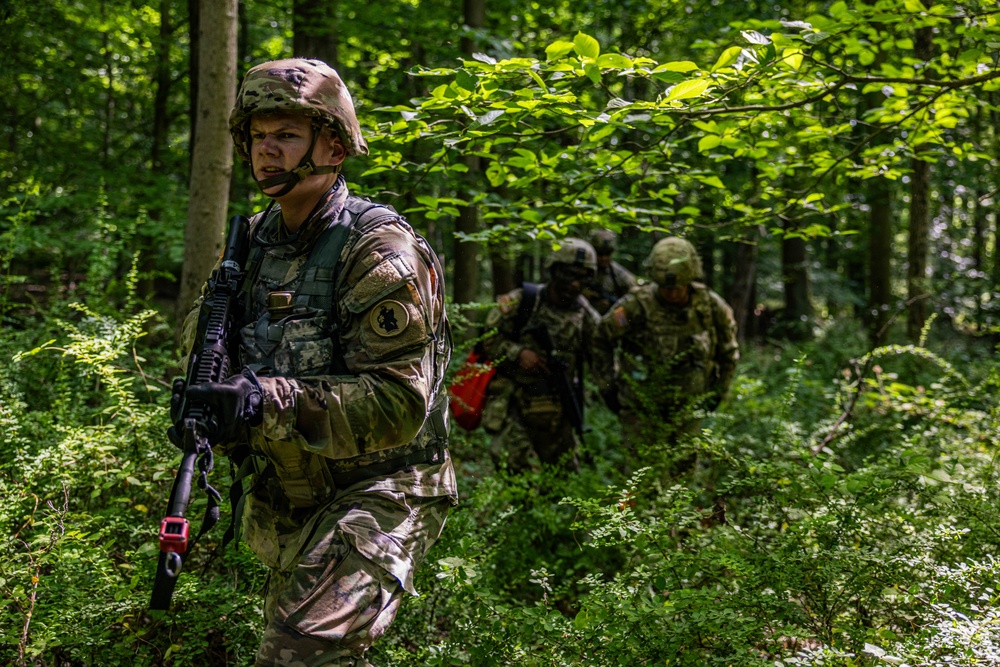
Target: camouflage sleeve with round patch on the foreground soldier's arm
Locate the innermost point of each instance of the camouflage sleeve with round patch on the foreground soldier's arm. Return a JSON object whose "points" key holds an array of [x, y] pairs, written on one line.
{"points": [[390, 304]]}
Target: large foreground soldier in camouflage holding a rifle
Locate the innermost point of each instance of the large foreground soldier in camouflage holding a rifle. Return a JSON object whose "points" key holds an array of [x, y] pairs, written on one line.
{"points": [[337, 403]]}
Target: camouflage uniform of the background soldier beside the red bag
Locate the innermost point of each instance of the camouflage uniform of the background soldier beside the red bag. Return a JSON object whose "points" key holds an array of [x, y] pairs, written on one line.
{"points": [[524, 411]]}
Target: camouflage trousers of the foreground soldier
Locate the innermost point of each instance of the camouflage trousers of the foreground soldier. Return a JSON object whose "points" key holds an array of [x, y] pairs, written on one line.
{"points": [[334, 603]]}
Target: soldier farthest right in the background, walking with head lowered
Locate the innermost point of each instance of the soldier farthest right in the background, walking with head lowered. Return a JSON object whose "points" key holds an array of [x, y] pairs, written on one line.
{"points": [[666, 347]]}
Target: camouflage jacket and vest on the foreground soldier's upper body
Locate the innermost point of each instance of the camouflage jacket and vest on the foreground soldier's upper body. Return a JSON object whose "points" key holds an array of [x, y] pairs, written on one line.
{"points": [[352, 369]]}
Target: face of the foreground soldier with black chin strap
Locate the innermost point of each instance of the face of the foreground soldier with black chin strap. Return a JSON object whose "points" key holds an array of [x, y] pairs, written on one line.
{"points": [[279, 142]]}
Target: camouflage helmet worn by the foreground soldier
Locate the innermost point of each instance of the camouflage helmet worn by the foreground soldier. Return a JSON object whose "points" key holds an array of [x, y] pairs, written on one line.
{"points": [[296, 85]]}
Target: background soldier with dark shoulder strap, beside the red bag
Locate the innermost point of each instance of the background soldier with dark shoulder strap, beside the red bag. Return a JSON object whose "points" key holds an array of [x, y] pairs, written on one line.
{"points": [[542, 341]]}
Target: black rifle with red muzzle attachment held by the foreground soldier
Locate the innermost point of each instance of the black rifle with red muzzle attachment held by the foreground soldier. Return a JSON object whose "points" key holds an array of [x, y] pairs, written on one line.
{"points": [[209, 362]]}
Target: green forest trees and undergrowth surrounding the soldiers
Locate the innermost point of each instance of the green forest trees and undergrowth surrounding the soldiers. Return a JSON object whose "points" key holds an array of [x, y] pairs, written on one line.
{"points": [[836, 163]]}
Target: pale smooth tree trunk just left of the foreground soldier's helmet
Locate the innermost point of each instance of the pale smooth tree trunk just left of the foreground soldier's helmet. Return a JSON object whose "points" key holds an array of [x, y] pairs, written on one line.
{"points": [[212, 153]]}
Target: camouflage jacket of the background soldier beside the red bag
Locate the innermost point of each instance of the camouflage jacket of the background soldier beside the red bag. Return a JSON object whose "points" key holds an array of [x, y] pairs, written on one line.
{"points": [[571, 331]]}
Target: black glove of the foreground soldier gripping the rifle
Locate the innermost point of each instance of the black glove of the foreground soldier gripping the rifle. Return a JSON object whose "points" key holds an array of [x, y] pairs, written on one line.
{"points": [[236, 402]]}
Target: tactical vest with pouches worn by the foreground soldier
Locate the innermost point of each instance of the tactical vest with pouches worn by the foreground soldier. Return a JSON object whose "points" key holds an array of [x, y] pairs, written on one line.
{"points": [[297, 335]]}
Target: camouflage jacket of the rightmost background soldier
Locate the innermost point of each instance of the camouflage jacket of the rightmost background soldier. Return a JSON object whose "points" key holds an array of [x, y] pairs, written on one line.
{"points": [[687, 350]]}
